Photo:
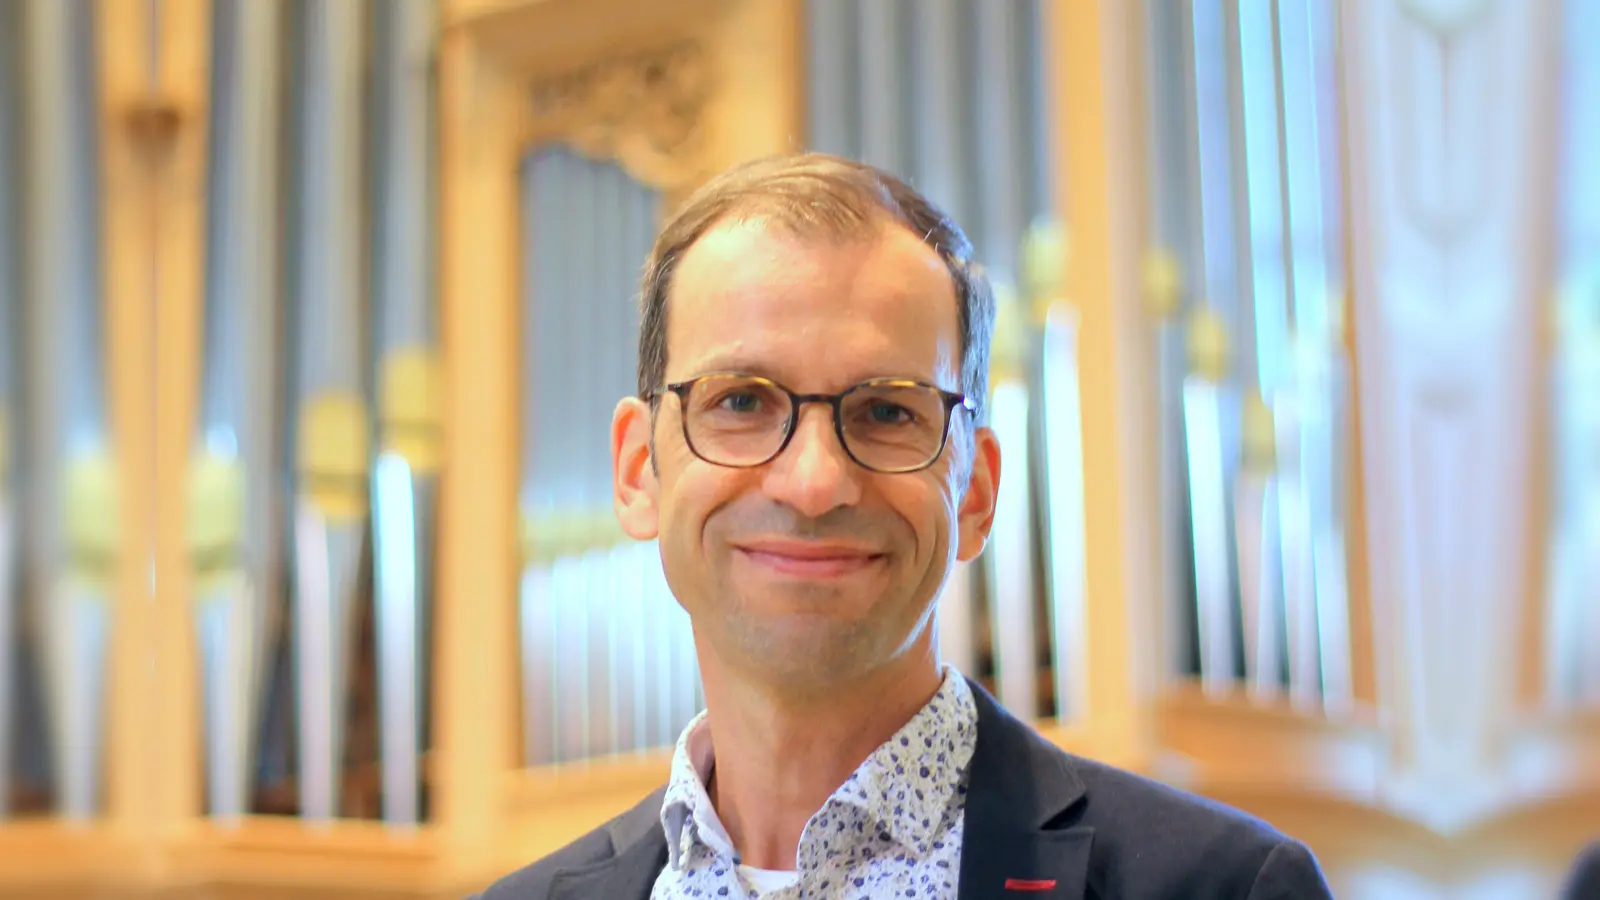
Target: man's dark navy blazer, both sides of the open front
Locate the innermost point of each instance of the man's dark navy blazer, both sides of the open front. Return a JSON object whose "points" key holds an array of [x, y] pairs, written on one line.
{"points": [[1033, 814]]}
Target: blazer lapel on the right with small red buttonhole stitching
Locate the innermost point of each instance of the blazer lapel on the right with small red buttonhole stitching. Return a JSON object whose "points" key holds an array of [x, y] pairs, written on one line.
{"points": [[1020, 837]]}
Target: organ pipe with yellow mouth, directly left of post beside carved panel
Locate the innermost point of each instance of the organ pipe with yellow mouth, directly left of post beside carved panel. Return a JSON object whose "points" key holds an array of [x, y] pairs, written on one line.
{"points": [[406, 475]]}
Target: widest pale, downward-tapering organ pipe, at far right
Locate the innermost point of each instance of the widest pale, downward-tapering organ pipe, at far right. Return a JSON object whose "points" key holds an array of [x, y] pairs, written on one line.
{"points": [[1447, 143]]}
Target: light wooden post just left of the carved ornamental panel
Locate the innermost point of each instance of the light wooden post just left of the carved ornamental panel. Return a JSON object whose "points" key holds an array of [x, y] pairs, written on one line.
{"points": [[476, 672]]}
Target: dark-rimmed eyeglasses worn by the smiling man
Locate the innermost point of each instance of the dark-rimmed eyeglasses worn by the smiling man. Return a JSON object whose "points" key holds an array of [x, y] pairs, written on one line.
{"points": [[886, 425]]}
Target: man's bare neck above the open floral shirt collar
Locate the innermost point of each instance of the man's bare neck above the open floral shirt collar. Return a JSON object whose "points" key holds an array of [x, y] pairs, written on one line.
{"points": [[780, 757]]}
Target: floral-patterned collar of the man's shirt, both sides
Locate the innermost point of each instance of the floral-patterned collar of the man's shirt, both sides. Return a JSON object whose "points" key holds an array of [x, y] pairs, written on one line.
{"points": [[906, 784]]}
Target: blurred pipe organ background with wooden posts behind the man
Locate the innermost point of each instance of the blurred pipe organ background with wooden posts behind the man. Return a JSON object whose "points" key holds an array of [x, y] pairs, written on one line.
{"points": [[313, 316]]}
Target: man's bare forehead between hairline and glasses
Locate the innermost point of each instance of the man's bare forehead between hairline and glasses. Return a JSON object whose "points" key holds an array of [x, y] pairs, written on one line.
{"points": [[814, 311]]}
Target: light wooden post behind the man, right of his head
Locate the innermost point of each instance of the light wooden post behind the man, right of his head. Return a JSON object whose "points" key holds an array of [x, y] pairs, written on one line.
{"points": [[1097, 110]]}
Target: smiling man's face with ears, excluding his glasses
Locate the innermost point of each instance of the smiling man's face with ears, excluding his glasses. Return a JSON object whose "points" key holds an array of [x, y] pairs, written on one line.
{"points": [[810, 569]]}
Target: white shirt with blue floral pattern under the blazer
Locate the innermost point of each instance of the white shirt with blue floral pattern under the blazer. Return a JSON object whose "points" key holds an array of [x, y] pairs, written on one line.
{"points": [[892, 830]]}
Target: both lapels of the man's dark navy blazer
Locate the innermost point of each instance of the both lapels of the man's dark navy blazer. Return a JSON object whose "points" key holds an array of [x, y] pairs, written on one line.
{"points": [[1018, 835]]}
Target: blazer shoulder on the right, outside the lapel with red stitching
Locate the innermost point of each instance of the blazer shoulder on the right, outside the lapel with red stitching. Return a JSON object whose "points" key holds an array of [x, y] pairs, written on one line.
{"points": [[1196, 846]]}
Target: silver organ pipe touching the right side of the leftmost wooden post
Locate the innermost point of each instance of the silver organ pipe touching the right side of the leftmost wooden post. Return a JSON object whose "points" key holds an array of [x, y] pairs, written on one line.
{"points": [[236, 473]]}
